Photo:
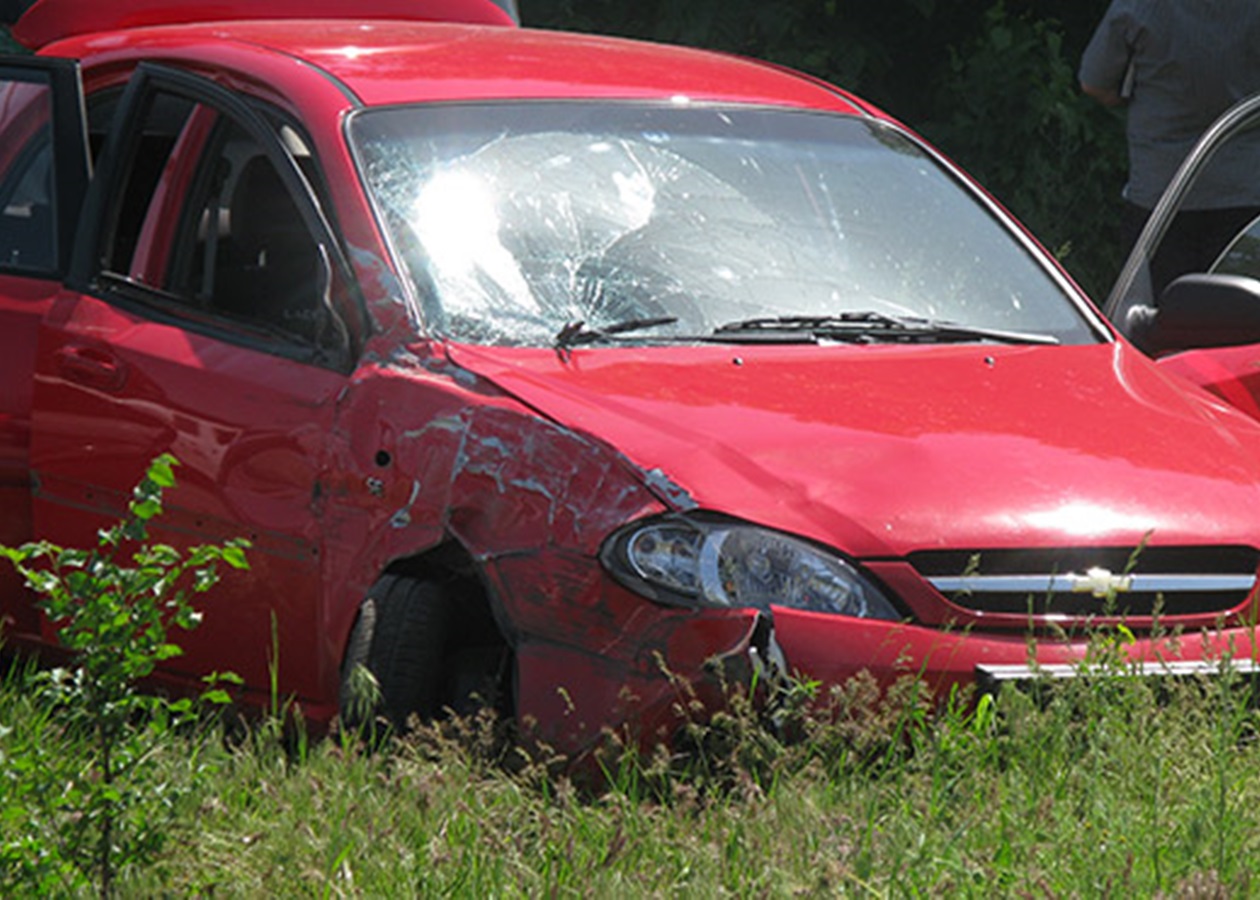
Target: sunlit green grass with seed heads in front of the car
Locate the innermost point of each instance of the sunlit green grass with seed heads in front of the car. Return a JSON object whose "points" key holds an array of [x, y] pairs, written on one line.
{"points": [[1107, 788]]}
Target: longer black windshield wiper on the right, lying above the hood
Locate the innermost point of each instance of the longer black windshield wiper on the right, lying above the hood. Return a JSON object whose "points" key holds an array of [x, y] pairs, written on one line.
{"points": [[870, 327]]}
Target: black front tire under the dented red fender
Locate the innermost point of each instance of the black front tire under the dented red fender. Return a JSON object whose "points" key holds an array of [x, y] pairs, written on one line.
{"points": [[400, 638]]}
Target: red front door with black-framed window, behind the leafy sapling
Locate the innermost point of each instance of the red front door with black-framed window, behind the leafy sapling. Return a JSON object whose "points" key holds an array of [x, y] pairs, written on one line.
{"points": [[200, 322]]}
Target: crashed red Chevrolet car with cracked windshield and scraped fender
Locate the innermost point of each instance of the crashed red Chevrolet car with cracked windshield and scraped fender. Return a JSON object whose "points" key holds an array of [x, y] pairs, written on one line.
{"points": [[554, 369]]}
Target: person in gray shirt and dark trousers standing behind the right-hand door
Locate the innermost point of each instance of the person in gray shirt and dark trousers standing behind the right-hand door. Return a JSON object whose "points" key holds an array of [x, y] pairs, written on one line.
{"points": [[1177, 65]]}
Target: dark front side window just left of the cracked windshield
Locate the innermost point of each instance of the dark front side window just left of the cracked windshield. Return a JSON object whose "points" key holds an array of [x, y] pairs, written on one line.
{"points": [[202, 217]]}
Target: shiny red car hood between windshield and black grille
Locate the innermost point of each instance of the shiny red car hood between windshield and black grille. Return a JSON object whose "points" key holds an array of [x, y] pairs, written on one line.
{"points": [[881, 451]]}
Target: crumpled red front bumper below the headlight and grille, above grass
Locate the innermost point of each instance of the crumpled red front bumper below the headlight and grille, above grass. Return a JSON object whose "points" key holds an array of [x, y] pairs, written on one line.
{"points": [[574, 698]]}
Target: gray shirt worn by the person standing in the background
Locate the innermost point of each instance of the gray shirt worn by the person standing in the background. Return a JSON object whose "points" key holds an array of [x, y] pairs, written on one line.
{"points": [[1180, 64]]}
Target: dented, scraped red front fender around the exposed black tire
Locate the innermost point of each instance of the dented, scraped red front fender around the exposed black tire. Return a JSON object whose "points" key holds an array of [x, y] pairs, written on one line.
{"points": [[434, 454]]}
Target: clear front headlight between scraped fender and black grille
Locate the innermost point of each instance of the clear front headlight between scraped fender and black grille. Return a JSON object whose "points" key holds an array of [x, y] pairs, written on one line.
{"points": [[690, 562]]}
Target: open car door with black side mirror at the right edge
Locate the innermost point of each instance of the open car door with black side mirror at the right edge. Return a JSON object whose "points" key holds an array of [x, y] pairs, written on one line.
{"points": [[1203, 320]]}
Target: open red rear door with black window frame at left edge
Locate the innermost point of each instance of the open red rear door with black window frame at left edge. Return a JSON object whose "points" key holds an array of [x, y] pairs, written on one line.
{"points": [[43, 178]]}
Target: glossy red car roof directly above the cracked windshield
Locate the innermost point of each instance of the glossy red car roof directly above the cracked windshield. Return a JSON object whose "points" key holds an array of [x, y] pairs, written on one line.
{"points": [[391, 62]]}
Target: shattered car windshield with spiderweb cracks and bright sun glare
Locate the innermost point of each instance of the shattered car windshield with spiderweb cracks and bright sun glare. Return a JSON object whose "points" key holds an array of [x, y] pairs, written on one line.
{"points": [[520, 224]]}
